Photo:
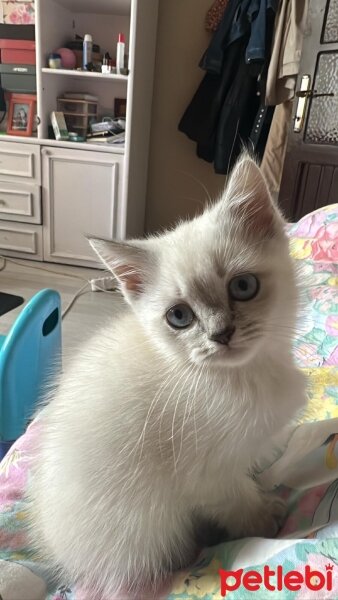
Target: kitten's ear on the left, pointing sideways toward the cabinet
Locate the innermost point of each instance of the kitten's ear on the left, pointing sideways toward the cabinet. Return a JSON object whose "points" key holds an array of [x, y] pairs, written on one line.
{"points": [[128, 262]]}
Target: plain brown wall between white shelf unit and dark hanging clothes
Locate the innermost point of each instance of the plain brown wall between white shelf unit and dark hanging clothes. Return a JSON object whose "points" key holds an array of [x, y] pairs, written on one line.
{"points": [[174, 167]]}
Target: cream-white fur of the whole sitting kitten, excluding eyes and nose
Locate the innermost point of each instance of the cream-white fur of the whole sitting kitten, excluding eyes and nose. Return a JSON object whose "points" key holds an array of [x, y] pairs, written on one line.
{"points": [[151, 428]]}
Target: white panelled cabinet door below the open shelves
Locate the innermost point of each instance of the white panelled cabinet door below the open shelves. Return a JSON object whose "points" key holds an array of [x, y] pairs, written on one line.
{"points": [[80, 196]]}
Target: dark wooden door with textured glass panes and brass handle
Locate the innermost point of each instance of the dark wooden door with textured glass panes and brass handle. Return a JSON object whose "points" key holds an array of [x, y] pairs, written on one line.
{"points": [[310, 175]]}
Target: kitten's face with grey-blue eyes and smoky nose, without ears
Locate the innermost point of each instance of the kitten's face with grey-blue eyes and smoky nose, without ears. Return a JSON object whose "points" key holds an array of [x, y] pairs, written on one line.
{"points": [[217, 303]]}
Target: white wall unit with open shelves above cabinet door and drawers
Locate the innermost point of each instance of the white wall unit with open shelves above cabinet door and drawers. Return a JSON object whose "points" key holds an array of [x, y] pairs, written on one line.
{"points": [[117, 175]]}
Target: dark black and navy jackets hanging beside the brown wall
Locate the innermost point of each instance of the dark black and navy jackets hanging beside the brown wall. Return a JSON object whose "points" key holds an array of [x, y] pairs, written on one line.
{"points": [[222, 113]]}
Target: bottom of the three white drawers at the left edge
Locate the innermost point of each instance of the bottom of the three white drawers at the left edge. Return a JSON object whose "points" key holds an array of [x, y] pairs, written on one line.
{"points": [[21, 240]]}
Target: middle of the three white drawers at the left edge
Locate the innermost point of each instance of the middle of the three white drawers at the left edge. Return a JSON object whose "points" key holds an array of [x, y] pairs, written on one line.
{"points": [[20, 202]]}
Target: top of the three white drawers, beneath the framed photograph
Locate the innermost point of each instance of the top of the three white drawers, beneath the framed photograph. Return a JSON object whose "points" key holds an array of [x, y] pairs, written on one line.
{"points": [[20, 161]]}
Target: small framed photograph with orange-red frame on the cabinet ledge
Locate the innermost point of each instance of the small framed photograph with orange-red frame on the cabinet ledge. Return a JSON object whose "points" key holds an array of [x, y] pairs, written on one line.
{"points": [[21, 114]]}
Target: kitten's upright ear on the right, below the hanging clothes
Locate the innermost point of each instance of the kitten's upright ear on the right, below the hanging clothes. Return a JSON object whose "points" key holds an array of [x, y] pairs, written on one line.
{"points": [[248, 198]]}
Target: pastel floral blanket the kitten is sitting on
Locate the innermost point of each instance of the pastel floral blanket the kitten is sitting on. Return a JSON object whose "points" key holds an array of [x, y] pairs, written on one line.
{"points": [[302, 562]]}
